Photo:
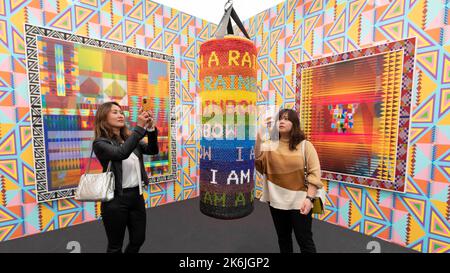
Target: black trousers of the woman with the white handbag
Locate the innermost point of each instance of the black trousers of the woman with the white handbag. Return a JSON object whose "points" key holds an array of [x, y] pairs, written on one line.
{"points": [[126, 211]]}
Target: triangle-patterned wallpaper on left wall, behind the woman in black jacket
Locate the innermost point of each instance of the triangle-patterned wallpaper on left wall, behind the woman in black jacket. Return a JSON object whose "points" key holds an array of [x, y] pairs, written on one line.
{"points": [[139, 24]]}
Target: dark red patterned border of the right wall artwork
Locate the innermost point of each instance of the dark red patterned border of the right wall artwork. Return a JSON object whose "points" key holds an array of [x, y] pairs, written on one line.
{"points": [[407, 50]]}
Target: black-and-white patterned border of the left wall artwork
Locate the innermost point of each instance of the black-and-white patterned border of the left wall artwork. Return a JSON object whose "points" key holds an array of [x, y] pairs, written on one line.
{"points": [[43, 192]]}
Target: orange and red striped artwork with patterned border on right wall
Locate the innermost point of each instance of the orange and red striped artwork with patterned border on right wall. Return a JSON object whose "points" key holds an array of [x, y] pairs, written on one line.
{"points": [[355, 108]]}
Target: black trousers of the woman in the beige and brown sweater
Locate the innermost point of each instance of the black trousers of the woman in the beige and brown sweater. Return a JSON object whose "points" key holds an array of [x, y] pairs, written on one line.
{"points": [[287, 220]]}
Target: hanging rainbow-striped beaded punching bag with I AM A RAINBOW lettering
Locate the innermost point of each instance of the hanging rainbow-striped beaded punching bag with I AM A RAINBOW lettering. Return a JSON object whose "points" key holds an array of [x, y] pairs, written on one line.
{"points": [[228, 97]]}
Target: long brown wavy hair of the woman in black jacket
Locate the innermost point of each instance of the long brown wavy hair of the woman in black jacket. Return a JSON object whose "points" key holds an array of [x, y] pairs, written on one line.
{"points": [[102, 128]]}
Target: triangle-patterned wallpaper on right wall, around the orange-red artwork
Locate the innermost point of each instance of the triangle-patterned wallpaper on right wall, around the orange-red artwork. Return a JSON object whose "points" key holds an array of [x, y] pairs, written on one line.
{"points": [[298, 31]]}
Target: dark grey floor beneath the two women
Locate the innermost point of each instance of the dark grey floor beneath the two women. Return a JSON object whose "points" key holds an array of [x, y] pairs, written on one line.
{"points": [[180, 227]]}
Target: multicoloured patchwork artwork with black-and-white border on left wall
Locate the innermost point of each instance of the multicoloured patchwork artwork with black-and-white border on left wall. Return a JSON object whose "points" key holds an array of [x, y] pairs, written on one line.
{"points": [[69, 77]]}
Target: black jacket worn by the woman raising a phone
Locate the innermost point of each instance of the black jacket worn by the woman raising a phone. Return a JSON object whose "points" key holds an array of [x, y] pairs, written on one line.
{"points": [[107, 149]]}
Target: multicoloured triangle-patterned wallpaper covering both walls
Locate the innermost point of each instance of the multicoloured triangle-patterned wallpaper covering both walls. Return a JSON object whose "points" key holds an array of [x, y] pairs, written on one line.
{"points": [[293, 32]]}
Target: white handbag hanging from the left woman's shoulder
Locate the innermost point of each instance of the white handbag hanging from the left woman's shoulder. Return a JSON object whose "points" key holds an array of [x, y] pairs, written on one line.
{"points": [[96, 187]]}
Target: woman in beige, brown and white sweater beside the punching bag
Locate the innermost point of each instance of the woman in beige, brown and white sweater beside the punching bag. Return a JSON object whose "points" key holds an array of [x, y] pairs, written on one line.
{"points": [[290, 201]]}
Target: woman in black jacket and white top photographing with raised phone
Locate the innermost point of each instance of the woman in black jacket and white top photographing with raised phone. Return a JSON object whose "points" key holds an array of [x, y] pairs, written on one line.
{"points": [[125, 149]]}
